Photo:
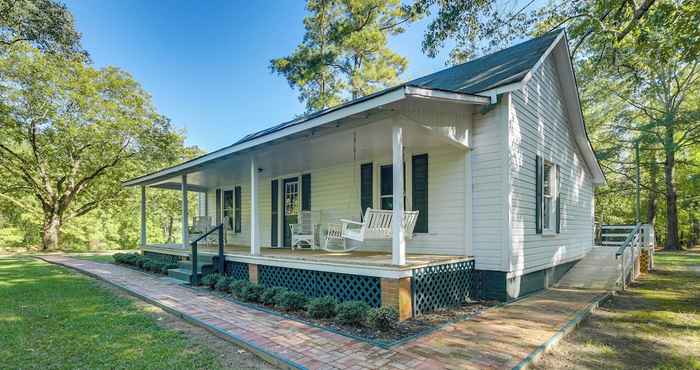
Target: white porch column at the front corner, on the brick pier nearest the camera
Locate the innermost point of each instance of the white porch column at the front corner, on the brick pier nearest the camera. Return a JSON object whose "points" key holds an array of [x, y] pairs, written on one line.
{"points": [[398, 239]]}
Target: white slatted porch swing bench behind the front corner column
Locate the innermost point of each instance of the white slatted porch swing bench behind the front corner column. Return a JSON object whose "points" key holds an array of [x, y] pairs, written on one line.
{"points": [[377, 225]]}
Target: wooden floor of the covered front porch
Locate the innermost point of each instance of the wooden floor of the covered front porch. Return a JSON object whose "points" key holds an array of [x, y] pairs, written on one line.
{"points": [[356, 257]]}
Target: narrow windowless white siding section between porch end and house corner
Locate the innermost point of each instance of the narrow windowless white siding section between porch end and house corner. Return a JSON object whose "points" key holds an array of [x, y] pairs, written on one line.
{"points": [[488, 160]]}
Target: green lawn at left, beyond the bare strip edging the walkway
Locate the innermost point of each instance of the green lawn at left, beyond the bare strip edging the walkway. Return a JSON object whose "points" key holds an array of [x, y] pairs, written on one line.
{"points": [[53, 318]]}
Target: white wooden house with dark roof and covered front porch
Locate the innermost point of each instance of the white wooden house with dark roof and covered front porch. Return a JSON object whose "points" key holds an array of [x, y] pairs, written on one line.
{"points": [[493, 154]]}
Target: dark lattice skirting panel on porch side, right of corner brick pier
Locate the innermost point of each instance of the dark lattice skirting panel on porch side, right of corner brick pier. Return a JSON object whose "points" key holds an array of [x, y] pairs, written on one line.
{"points": [[444, 286]]}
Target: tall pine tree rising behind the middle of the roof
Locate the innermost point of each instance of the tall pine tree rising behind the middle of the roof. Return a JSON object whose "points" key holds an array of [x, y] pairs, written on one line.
{"points": [[344, 53]]}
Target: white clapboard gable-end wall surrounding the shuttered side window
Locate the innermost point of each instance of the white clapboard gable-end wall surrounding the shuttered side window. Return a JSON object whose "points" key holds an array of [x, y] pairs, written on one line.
{"points": [[538, 125]]}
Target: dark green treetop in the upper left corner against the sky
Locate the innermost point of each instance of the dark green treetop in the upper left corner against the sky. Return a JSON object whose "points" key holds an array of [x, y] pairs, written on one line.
{"points": [[45, 24]]}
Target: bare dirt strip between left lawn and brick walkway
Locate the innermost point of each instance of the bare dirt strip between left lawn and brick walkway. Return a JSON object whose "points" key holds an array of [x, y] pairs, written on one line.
{"points": [[230, 355]]}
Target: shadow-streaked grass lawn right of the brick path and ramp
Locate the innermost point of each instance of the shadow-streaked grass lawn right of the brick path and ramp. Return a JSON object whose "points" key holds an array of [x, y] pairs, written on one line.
{"points": [[653, 325]]}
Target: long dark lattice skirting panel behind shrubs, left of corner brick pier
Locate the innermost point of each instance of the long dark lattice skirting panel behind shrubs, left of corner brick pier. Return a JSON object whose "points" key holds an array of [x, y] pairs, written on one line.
{"points": [[344, 287]]}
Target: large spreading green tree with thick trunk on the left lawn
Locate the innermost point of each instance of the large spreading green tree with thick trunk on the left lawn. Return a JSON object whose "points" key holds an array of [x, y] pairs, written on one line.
{"points": [[71, 133]]}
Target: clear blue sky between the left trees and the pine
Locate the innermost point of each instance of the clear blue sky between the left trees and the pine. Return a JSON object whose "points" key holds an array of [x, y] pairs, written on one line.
{"points": [[205, 63]]}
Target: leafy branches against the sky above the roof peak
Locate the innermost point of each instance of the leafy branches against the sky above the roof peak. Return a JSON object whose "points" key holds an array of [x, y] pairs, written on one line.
{"points": [[479, 26]]}
